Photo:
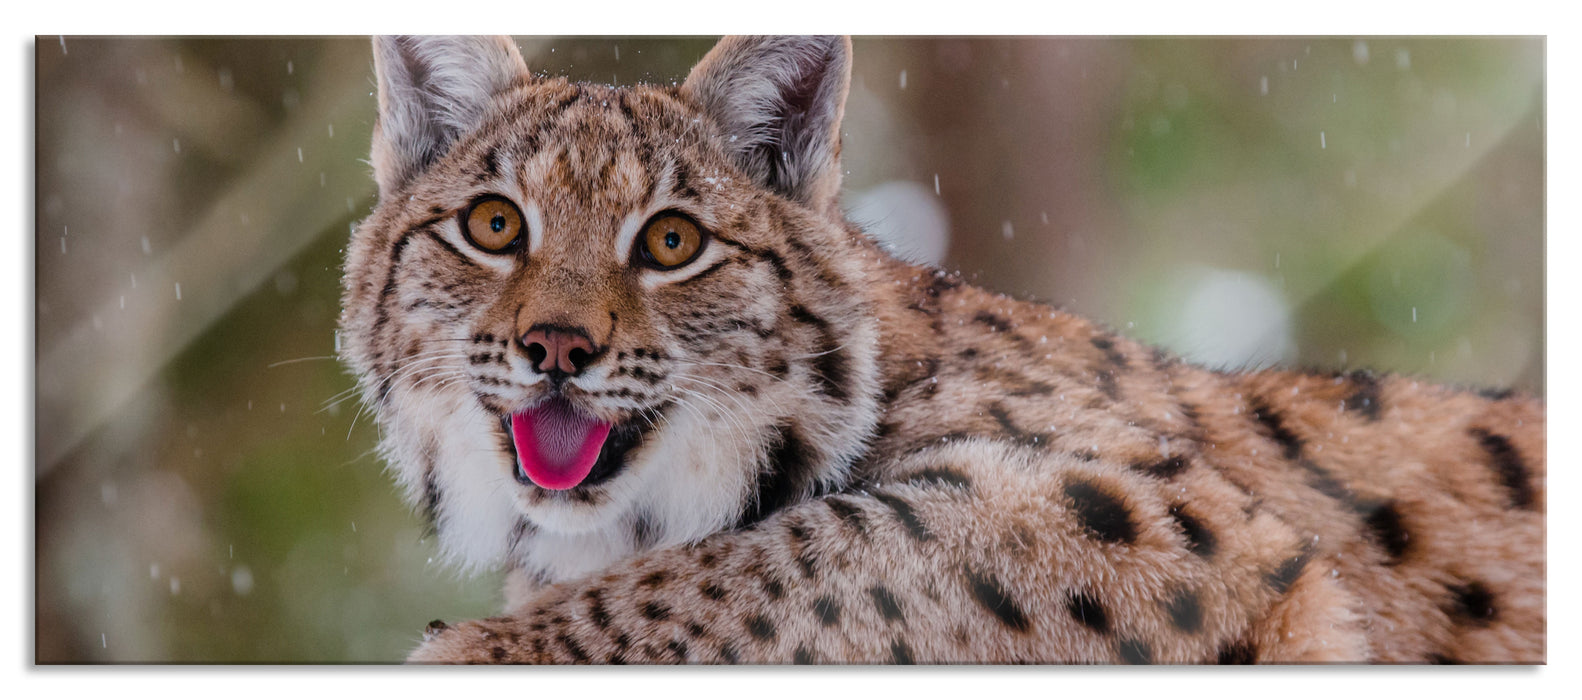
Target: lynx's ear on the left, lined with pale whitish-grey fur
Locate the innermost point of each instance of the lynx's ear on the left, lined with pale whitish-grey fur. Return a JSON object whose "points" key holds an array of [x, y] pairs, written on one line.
{"points": [[433, 89]]}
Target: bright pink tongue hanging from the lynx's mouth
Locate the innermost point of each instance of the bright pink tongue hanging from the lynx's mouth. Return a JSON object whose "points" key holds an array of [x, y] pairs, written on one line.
{"points": [[558, 444]]}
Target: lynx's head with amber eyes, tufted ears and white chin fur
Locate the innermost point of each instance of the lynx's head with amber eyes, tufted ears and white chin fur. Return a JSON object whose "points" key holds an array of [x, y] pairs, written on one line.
{"points": [[610, 318]]}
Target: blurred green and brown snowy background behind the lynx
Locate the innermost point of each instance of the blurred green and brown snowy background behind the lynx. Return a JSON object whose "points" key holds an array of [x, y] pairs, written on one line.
{"points": [[202, 496]]}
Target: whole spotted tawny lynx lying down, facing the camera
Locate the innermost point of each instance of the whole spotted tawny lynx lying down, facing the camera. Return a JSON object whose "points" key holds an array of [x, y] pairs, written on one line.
{"points": [[623, 344]]}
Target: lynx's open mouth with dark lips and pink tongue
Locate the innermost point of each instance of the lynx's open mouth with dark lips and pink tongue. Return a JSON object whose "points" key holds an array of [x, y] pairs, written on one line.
{"points": [[559, 447]]}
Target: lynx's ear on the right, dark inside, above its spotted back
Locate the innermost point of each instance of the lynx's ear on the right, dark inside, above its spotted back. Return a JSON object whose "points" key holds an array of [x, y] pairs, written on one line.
{"points": [[779, 101]]}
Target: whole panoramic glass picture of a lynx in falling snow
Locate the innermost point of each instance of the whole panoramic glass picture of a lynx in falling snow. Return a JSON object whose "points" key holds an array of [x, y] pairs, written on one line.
{"points": [[790, 351]]}
